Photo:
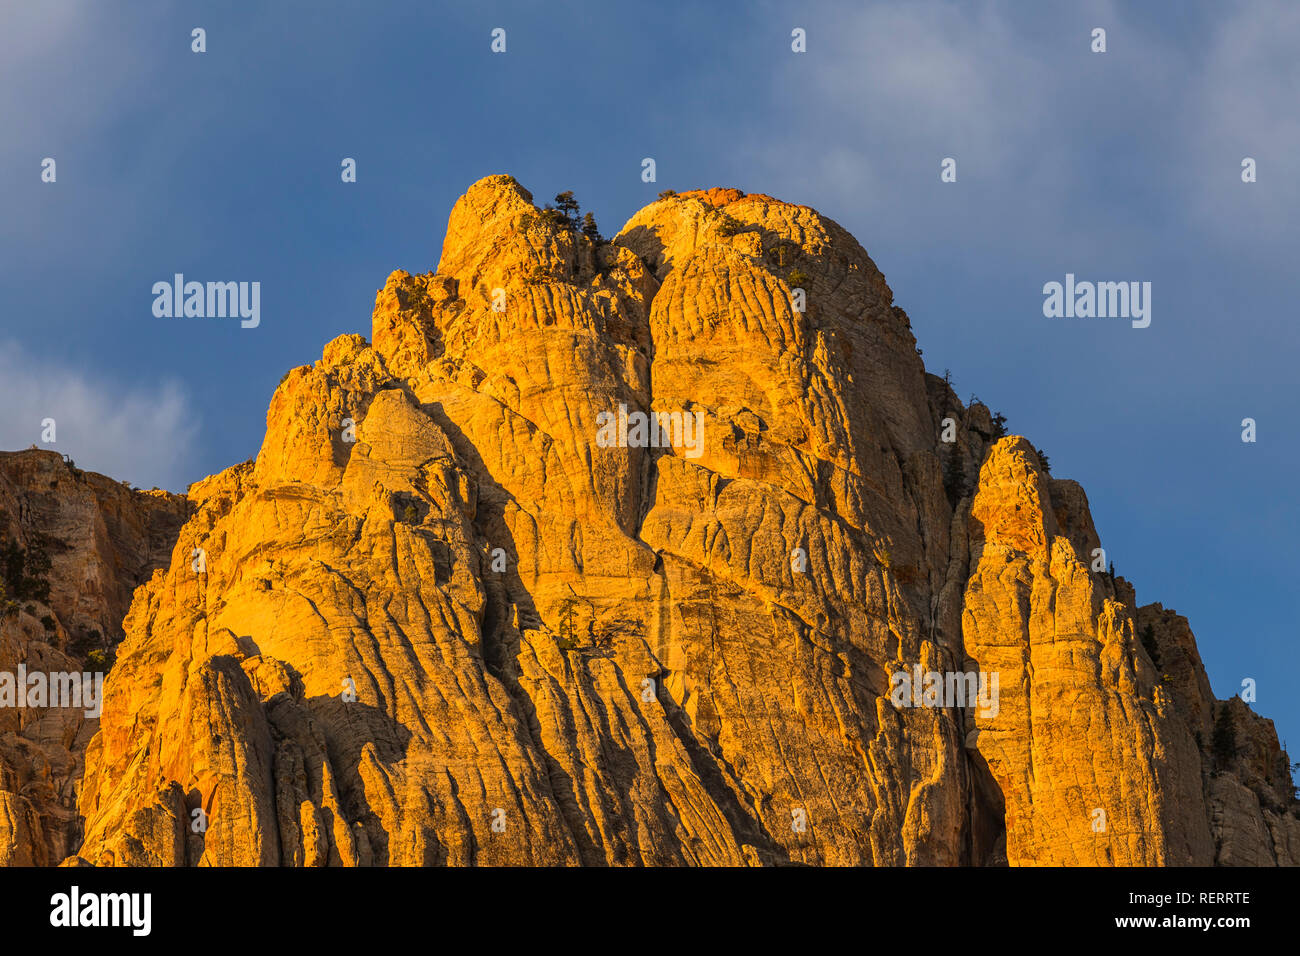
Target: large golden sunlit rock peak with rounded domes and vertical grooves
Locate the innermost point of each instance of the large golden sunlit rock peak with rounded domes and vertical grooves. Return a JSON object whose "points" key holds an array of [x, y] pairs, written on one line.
{"points": [[465, 608]]}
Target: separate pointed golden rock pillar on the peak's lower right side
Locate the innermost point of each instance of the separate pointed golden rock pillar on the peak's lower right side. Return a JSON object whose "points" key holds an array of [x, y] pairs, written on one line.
{"points": [[1094, 762]]}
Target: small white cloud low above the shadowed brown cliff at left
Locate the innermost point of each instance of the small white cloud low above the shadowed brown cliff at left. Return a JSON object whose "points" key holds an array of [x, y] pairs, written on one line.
{"points": [[144, 435]]}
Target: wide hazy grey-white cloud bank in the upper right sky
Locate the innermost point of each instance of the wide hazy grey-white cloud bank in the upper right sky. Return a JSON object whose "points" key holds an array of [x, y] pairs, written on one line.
{"points": [[1050, 139]]}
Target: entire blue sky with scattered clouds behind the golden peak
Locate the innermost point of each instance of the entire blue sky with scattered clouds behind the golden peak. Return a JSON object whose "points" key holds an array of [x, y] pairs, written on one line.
{"points": [[1117, 166]]}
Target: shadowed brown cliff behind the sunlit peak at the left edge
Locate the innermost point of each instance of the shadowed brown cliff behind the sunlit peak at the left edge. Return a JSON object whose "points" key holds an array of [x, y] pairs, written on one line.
{"points": [[102, 539]]}
